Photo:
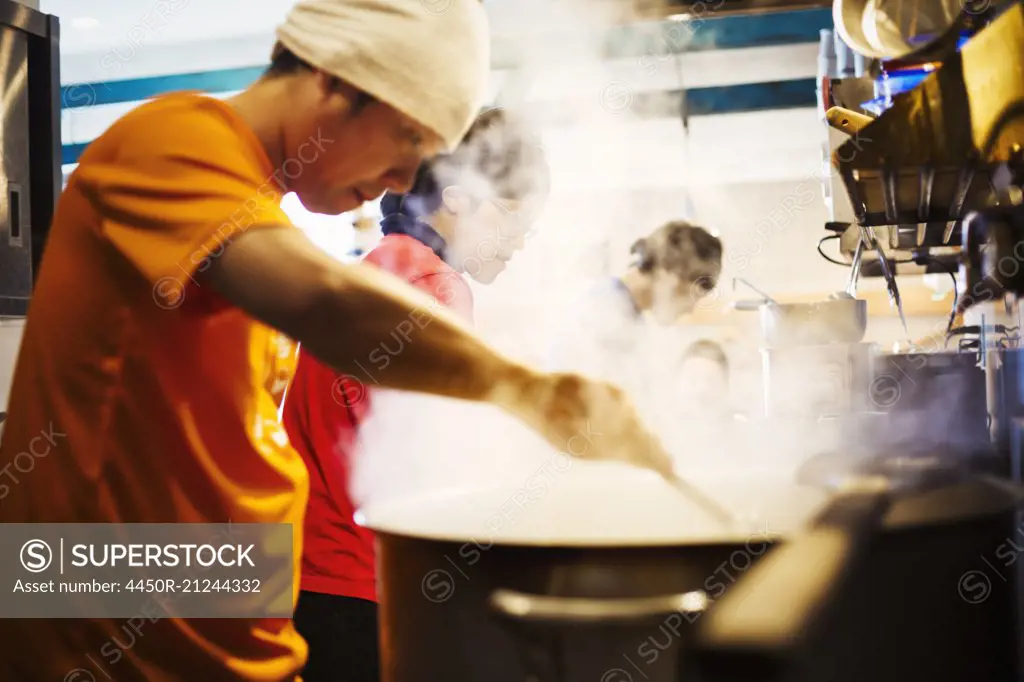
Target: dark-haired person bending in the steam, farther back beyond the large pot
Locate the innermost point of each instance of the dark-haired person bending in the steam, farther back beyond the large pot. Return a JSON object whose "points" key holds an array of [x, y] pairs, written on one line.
{"points": [[672, 270]]}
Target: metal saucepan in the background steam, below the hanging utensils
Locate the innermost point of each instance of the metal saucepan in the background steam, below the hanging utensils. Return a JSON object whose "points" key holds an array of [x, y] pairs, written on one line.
{"points": [[839, 321]]}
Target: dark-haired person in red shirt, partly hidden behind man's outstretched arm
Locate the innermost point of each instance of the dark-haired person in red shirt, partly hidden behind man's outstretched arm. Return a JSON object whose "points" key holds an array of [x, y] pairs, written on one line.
{"points": [[467, 215]]}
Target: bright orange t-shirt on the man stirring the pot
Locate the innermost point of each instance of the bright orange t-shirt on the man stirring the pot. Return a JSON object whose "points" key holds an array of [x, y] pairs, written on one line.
{"points": [[160, 398]]}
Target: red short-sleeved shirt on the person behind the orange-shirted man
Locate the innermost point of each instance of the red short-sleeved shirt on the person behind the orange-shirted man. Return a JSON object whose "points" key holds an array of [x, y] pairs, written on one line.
{"points": [[322, 414]]}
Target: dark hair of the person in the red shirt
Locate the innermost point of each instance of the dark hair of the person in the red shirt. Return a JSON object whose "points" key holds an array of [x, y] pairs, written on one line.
{"points": [[499, 153]]}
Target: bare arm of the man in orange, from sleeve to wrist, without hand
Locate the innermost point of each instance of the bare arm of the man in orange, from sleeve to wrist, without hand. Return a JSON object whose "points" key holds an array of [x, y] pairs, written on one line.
{"points": [[363, 321]]}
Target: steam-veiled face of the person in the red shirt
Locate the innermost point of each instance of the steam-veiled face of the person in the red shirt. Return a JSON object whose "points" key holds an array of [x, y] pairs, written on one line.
{"points": [[489, 235]]}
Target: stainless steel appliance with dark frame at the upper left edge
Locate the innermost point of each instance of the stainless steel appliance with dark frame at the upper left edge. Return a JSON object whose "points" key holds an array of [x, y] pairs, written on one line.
{"points": [[30, 147]]}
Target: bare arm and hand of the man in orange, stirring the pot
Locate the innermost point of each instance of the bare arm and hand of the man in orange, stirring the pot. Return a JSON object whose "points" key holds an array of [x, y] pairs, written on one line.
{"points": [[380, 330]]}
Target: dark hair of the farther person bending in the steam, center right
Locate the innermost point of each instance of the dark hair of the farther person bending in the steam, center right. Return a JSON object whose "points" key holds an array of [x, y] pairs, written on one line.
{"points": [[686, 250]]}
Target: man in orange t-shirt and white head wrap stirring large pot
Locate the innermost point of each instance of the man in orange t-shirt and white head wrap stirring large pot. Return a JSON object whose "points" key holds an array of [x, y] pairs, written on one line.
{"points": [[172, 272]]}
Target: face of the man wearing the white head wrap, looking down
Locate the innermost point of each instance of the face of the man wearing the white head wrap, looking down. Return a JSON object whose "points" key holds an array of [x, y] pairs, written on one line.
{"points": [[339, 159]]}
